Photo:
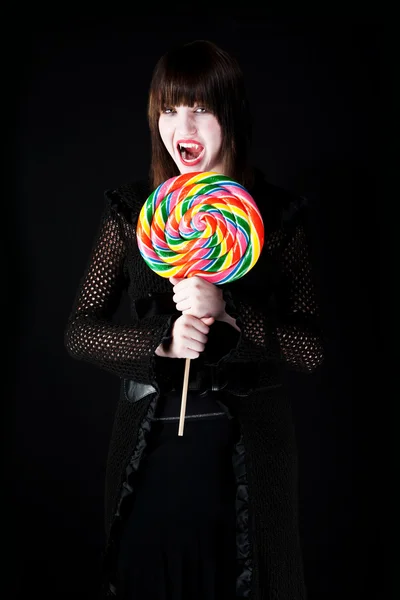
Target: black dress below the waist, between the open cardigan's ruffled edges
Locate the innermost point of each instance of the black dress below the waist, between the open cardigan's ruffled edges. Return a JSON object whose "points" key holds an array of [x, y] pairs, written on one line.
{"points": [[179, 540]]}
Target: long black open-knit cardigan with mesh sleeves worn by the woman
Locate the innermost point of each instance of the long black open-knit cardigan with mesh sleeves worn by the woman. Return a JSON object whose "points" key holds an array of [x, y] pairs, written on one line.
{"points": [[276, 311]]}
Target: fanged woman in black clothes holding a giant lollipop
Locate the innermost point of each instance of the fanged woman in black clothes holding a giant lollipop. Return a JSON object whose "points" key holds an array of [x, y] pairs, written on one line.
{"points": [[212, 514]]}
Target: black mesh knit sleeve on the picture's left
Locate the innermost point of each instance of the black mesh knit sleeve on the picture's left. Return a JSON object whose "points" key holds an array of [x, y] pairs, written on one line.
{"points": [[90, 335]]}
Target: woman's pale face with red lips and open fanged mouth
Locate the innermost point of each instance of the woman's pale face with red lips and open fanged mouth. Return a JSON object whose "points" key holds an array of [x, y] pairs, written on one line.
{"points": [[192, 136]]}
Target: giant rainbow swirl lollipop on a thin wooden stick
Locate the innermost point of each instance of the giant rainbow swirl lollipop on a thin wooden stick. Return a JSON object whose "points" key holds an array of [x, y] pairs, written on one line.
{"points": [[200, 224]]}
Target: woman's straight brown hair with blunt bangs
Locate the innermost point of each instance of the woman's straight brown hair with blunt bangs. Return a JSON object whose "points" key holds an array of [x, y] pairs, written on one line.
{"points": [[200, 72]]}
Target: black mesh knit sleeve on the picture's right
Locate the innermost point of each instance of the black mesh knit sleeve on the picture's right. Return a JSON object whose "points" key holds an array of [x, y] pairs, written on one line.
{"points": [[283, 326]]}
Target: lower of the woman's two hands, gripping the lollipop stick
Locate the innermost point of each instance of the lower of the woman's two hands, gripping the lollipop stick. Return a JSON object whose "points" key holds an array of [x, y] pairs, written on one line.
{"points": [[189, 337]]}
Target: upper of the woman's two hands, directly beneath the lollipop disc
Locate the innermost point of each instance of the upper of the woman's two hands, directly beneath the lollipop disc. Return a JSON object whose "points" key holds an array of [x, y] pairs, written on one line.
{"points": [[197, 297]]}
